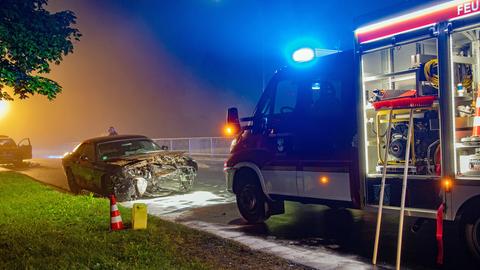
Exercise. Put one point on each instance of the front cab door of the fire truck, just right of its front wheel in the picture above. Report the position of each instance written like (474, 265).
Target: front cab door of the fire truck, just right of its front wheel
(280, 173)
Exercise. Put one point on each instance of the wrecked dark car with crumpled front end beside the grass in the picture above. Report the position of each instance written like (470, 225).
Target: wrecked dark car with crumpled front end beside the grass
(128, 166)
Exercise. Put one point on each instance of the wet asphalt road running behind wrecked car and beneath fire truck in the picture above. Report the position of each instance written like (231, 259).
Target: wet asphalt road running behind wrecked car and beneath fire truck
(349, 232)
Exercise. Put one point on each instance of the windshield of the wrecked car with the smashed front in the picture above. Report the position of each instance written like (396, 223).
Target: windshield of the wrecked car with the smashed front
(125, 148)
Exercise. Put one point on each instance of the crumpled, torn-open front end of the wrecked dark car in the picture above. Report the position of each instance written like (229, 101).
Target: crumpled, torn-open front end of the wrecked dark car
(153, 175)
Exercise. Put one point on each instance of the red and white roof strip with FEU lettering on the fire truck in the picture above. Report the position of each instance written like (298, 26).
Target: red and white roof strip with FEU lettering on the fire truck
(419, 19)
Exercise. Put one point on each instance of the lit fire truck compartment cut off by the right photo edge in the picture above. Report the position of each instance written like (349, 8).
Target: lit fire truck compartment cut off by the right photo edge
(465, 73)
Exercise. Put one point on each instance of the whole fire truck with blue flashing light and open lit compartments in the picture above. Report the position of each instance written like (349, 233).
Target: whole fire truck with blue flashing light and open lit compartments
(393, 125)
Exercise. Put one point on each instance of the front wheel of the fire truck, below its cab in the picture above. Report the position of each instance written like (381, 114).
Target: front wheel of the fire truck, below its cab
(251, 202)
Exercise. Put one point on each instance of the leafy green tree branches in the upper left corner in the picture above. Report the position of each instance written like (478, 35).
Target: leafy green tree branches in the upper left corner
(31, 39)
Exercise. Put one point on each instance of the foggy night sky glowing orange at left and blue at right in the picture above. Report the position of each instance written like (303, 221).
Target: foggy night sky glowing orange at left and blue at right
(171, 68)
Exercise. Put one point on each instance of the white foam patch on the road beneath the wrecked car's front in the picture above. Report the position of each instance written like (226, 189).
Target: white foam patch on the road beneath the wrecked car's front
(176, 203)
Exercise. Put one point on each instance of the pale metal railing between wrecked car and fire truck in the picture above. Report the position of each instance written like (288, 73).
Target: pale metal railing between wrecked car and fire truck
(214, 146)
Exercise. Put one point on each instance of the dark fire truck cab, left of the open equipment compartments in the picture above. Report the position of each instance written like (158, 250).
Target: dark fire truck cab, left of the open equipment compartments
(300, 142)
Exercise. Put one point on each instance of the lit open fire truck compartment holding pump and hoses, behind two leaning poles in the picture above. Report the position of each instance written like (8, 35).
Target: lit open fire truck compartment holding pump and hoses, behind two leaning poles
(402, 72)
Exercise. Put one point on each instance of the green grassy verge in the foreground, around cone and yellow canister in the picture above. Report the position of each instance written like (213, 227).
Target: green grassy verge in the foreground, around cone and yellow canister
(42, 228)
